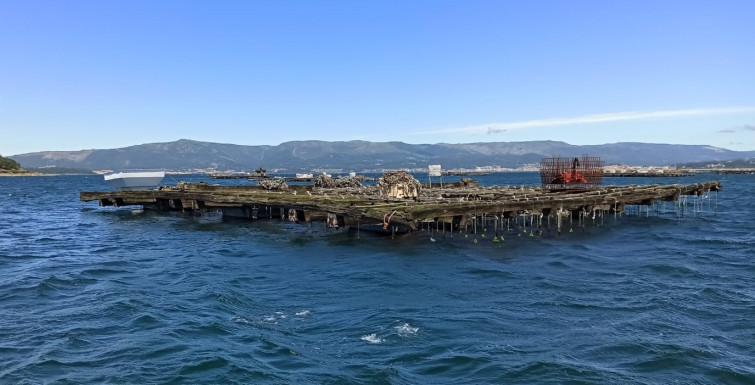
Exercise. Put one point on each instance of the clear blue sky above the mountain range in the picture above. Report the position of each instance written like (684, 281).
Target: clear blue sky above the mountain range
(105, 74)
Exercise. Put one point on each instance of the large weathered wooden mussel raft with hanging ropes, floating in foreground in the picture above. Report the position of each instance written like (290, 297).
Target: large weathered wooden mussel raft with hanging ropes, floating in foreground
(455, 207)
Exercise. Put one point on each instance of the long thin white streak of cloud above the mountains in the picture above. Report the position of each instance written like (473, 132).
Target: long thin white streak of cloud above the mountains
(493, 128)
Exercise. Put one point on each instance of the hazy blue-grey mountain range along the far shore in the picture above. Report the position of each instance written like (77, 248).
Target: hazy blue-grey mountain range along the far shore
(362, 155)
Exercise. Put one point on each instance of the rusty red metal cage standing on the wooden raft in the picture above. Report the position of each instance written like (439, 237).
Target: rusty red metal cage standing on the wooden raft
(577, 172)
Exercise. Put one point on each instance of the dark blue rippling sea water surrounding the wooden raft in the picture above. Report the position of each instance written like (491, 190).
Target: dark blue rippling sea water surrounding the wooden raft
(92, 295)
